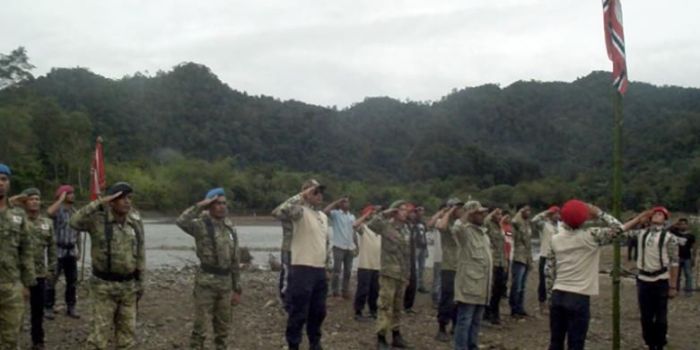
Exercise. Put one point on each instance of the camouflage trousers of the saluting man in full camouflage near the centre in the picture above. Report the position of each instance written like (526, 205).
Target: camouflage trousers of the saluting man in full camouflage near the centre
(391, 291)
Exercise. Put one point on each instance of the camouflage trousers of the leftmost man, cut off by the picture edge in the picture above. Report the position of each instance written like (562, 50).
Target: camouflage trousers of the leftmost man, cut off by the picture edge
(11, 314)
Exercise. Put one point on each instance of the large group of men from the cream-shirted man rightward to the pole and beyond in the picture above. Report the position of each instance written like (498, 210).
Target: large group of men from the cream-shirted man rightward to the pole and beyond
(479, 247)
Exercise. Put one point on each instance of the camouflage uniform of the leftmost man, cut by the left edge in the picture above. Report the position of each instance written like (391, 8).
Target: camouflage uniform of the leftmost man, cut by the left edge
(16, 273)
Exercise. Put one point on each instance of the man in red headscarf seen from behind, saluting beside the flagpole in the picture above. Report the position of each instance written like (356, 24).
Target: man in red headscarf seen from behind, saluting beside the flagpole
(572, 271)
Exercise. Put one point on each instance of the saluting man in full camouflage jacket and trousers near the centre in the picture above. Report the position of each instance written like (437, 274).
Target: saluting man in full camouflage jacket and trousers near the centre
(394, 271)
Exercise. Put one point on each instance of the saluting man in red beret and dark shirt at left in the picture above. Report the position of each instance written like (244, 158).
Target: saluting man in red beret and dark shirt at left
(67, 249)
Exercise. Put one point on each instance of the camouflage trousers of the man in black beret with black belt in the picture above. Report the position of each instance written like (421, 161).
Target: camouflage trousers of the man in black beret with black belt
(113, 305)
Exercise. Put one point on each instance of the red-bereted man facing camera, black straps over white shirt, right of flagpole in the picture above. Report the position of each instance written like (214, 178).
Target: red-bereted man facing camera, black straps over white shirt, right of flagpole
(657, 262)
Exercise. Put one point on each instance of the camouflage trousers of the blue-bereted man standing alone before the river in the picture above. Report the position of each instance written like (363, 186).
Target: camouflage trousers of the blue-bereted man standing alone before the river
(212, 297)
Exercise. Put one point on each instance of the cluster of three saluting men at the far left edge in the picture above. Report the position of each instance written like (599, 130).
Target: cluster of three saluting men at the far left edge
(36, 250)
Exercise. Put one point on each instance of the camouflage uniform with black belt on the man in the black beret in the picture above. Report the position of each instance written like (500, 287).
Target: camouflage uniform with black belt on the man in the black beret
(118, 266)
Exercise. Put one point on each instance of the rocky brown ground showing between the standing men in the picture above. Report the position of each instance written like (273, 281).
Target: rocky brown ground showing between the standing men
(165, 319)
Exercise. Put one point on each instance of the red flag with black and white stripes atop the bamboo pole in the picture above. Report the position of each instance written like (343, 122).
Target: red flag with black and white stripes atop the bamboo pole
(615, 43)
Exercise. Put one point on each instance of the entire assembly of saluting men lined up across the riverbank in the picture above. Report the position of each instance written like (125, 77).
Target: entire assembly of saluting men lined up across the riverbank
(479, 247)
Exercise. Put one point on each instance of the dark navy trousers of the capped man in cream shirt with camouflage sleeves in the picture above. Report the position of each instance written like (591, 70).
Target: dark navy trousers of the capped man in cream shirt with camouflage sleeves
(306, 303)
